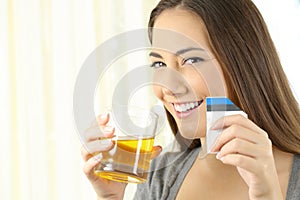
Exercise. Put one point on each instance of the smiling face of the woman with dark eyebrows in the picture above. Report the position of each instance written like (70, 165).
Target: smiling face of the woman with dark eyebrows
(186, 71)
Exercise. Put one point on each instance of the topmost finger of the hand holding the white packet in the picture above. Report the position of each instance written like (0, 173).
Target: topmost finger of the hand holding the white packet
(227, 121)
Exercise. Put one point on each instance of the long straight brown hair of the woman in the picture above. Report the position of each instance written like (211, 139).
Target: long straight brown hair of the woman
(254, 76)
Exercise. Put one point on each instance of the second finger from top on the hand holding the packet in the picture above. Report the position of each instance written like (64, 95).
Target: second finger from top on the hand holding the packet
(237, 131)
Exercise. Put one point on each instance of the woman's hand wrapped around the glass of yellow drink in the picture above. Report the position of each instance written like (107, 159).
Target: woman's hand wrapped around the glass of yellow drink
(91, 152)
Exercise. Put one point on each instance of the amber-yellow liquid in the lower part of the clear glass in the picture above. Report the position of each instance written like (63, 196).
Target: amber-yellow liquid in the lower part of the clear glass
(128, 161)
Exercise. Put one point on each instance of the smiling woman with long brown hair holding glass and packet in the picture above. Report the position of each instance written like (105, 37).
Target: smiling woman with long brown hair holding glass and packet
(258, 156)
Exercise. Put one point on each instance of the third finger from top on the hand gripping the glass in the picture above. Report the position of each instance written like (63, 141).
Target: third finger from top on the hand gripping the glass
(99, 146)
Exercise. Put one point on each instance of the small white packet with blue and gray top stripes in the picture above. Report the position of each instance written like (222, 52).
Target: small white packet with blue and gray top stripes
(216, 108)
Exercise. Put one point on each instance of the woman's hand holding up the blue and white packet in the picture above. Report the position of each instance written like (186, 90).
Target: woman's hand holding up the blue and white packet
(244, 145)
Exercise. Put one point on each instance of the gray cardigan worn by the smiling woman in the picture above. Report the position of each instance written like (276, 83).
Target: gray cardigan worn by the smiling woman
(169, 170)
